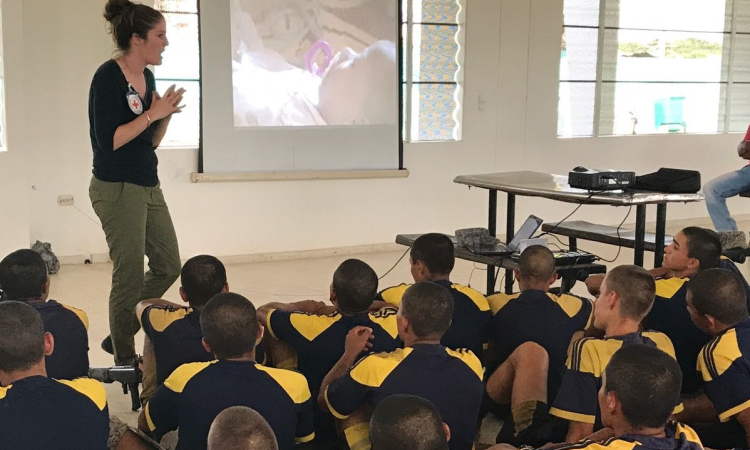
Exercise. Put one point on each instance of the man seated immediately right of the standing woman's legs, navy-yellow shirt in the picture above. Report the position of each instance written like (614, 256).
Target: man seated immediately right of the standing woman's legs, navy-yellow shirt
(173, 332)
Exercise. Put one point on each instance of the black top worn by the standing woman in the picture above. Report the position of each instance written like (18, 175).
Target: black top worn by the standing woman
(134, 162)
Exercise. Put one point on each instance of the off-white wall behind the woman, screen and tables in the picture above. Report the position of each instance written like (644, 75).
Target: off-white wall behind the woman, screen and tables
(512, 56)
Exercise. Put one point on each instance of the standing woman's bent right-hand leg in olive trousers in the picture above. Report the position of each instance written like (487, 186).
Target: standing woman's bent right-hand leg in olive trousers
(161, 248)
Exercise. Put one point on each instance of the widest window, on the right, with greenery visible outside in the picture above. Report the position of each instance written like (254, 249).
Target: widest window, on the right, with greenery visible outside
(654, 66)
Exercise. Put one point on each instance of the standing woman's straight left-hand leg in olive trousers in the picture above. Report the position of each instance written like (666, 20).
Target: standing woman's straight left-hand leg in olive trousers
(122, 209)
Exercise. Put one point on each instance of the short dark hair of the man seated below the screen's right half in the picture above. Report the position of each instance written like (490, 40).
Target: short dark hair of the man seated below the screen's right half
(355, 285)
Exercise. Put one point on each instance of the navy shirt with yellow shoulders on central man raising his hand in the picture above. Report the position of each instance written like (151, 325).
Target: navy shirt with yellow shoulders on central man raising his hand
(451, 380)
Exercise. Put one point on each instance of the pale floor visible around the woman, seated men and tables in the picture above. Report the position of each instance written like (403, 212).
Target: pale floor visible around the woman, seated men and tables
(87, 287)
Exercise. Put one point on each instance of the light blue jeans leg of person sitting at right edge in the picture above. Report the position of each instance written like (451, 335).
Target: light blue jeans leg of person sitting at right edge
(718, 190)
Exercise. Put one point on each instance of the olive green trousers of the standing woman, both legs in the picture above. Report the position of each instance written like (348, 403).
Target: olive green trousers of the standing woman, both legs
(136, 222)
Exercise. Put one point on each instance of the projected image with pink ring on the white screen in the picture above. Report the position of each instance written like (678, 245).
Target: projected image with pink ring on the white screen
(314, 62)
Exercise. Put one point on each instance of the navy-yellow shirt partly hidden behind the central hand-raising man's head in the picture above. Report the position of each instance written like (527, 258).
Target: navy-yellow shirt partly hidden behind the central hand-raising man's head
(471, 316)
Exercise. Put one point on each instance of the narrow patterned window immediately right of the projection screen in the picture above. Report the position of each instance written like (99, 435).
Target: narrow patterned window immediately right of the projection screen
(432, 37)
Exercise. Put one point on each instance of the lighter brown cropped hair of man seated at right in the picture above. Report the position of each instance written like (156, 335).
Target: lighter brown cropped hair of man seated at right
(635, 287)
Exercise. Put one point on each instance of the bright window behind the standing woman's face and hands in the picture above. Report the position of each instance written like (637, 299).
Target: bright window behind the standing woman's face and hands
(181, 66)
